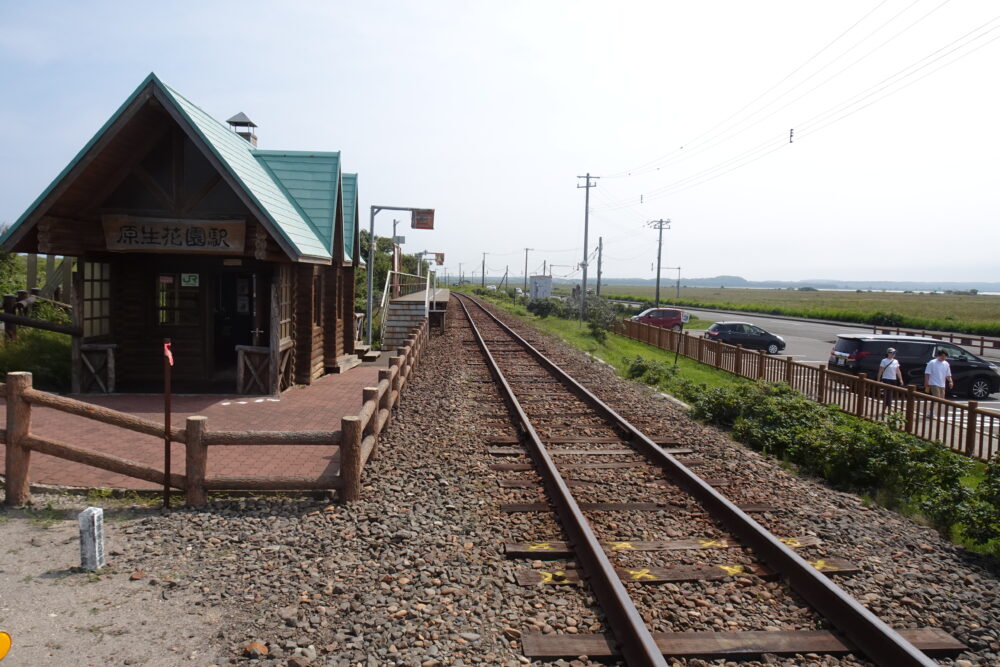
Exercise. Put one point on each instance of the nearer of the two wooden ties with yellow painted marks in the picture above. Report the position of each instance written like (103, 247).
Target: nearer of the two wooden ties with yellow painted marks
(662, 575)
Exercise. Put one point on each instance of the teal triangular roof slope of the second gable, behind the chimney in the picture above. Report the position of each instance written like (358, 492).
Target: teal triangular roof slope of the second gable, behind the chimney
(310, 181)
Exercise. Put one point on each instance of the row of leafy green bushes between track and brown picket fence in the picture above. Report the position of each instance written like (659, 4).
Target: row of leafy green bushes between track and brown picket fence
(852, 454)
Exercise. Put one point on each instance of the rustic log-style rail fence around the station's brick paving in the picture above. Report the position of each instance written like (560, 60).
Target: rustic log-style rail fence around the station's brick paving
(358, 438)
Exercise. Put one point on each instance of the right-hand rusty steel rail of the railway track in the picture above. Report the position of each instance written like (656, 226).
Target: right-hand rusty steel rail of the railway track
(869, 633)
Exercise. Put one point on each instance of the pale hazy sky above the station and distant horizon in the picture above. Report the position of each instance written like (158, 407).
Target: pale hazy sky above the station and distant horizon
(784, 140)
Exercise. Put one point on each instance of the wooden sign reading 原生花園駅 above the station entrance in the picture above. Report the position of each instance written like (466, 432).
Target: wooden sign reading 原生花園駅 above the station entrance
(215, 237)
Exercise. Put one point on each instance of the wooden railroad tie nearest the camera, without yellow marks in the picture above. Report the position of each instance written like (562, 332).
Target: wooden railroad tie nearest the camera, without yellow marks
(711, 645)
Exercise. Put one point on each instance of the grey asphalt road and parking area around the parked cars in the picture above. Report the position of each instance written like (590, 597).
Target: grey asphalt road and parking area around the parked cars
(810, 342)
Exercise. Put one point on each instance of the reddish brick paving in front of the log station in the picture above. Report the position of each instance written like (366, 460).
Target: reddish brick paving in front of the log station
(318, 406)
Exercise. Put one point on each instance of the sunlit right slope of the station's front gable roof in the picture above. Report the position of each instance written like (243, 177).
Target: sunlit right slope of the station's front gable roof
(237, 154)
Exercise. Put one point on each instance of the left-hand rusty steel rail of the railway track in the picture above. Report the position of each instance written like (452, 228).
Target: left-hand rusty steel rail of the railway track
(635, 641)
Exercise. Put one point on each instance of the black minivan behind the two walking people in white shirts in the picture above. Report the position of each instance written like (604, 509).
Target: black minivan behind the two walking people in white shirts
(861, 353)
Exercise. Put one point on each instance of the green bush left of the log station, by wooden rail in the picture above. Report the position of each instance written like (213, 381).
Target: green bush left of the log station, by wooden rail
(44, 353)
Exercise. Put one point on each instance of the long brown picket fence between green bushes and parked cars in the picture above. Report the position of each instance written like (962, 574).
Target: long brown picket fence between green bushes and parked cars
(964, 427)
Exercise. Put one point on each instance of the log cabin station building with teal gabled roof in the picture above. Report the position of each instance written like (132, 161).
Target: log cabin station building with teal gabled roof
(183, 229)
